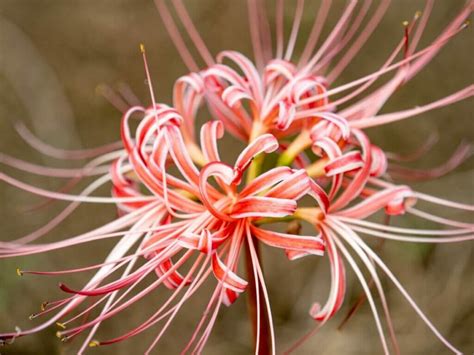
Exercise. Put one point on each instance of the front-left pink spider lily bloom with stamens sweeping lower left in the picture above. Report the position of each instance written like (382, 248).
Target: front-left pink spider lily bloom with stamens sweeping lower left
(170, 222)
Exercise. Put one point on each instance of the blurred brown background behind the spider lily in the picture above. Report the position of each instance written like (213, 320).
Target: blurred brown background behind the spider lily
(53, 54)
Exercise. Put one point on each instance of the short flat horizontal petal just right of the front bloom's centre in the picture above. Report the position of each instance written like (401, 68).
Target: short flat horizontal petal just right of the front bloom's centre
(256, 206)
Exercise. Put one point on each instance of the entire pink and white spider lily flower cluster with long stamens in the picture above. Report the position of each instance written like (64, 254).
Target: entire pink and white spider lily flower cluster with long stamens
(185, 216)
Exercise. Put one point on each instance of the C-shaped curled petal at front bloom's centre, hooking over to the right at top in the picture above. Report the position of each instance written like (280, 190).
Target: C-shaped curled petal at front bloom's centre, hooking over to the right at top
(225, 173)
